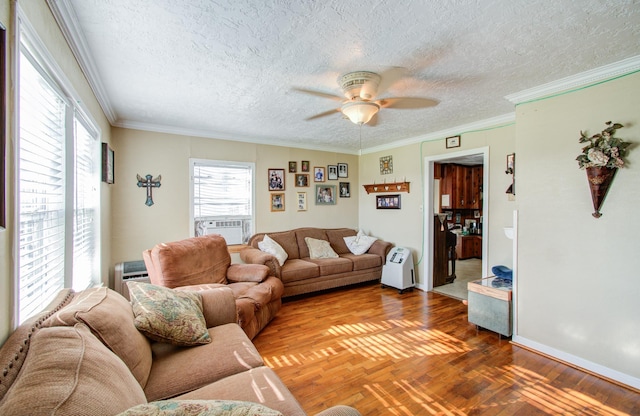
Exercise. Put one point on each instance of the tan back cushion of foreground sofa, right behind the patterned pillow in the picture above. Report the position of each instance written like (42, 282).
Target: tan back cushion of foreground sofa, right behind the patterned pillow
(110, 317)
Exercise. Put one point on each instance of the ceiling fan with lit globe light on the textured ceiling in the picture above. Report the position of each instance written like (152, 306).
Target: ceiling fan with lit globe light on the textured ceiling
(360, 89)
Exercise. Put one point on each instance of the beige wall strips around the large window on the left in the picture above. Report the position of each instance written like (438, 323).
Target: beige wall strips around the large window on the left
(39, 15)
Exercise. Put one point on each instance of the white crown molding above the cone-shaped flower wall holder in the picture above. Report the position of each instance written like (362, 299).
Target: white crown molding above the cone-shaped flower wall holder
(583, 79)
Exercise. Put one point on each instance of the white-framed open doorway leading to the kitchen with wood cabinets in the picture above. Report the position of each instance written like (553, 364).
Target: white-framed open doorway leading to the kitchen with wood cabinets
(467, 269)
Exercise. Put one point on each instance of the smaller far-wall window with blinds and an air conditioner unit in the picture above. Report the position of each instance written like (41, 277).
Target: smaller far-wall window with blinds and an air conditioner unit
(222, 199)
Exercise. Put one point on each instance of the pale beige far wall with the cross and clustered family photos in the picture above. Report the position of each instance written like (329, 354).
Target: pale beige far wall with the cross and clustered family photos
(137, 227)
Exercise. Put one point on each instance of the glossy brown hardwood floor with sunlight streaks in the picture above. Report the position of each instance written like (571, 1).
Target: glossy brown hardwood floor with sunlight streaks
(415, 354)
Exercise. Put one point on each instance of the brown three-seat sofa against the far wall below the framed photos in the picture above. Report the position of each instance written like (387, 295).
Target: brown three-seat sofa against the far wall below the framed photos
(301, 274)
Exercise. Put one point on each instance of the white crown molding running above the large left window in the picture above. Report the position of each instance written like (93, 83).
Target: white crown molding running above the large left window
(65, 16)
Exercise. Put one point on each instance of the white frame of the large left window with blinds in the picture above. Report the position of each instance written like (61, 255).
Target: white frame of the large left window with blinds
(26, 40)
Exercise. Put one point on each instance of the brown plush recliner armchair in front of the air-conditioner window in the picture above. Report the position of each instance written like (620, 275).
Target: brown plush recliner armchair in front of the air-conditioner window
(194, 262)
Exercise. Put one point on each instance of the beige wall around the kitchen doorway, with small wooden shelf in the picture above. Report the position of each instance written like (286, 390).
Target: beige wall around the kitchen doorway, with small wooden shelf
(405, 227)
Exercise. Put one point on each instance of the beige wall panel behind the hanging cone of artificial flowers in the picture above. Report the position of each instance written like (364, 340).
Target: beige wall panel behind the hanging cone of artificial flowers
(578, 277)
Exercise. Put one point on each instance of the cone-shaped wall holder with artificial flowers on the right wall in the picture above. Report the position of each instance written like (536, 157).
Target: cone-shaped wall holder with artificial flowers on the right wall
(601, 158)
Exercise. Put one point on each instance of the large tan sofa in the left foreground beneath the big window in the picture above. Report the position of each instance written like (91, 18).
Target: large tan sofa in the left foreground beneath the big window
(83, 355)
